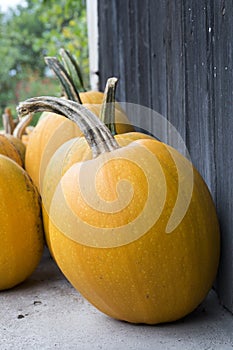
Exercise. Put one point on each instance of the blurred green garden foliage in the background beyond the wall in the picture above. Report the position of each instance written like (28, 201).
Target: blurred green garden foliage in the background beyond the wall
(28, 33)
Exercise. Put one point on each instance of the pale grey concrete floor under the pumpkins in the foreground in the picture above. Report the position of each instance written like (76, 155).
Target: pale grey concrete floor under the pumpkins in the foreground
(46, 312)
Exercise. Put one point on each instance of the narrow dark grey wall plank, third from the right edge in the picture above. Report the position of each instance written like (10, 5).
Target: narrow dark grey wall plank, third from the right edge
(175, 63)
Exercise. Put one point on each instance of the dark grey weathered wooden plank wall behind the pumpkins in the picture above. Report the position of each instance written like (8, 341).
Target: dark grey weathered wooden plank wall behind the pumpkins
(175, 56)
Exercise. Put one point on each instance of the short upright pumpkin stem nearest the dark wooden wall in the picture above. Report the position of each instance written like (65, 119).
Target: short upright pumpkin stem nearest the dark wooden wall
(107, 113)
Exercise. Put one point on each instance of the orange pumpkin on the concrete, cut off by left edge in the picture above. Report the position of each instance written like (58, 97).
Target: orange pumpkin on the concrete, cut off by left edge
(21, 230)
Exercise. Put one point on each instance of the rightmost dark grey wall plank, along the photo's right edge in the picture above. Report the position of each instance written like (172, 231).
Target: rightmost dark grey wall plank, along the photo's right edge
(223, 104)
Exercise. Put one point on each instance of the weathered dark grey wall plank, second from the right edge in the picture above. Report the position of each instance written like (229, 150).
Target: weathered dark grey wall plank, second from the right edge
(200, 121)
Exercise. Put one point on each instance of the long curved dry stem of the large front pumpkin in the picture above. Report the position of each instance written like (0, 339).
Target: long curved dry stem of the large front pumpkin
(96, 133)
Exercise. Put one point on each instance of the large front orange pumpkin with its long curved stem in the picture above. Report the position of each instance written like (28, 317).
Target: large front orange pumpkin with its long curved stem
(125, 228)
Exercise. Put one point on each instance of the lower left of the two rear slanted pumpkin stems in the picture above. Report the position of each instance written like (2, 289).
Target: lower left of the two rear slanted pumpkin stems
(64, 77)
